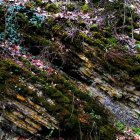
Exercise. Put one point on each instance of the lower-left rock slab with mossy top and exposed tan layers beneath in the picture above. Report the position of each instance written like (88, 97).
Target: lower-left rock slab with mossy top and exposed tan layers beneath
(43, 104)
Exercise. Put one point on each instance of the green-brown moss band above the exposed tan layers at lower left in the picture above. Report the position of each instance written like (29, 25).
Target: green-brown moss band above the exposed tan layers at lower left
(64, 96)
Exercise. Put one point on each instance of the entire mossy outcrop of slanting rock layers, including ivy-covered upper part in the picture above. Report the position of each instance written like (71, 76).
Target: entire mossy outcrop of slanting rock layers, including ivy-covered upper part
(64, 77)
